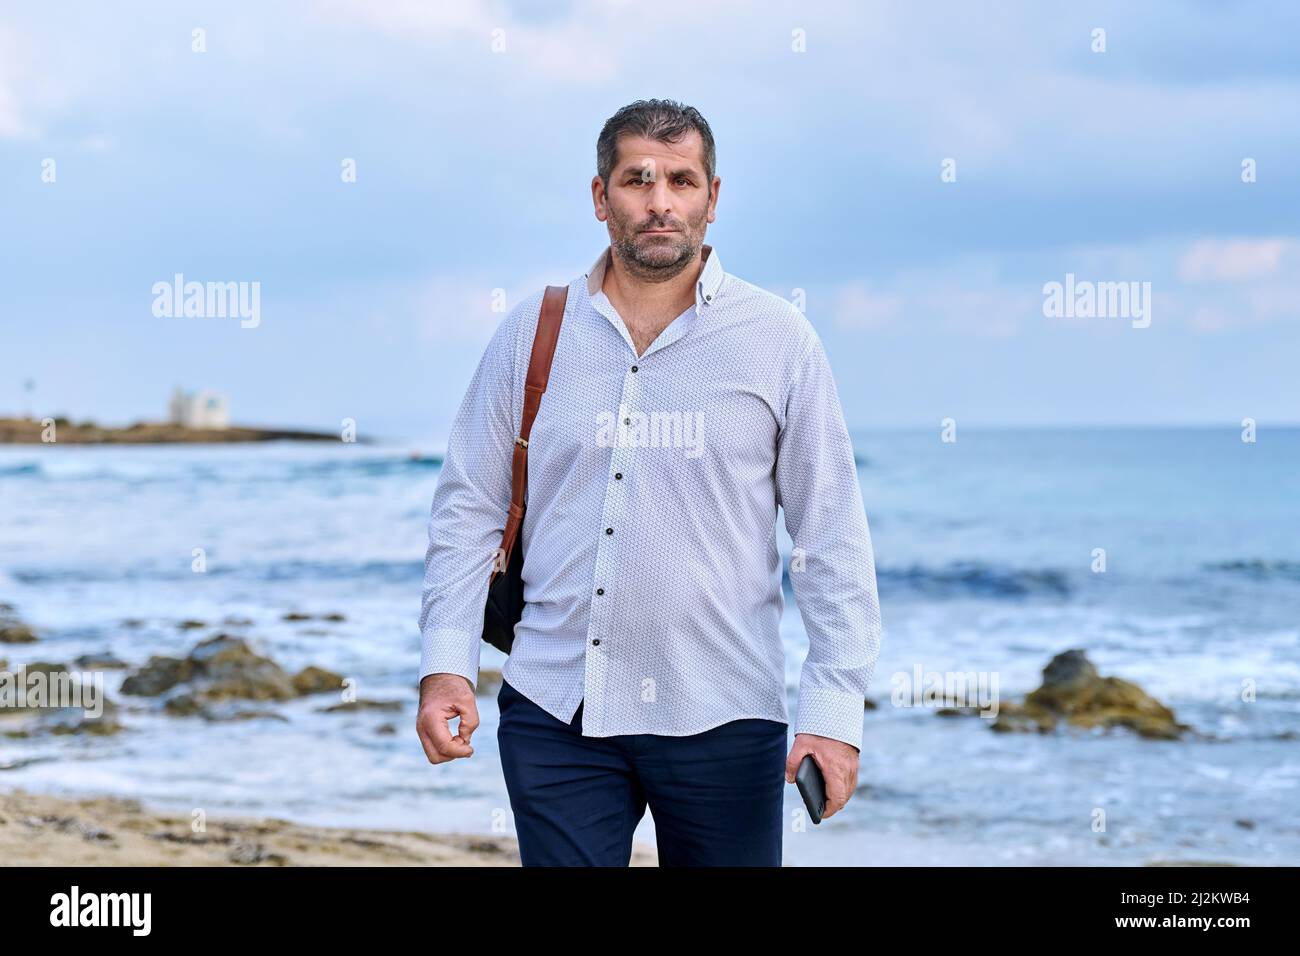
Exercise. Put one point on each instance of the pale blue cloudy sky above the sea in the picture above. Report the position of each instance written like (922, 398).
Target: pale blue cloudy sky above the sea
(913, 175)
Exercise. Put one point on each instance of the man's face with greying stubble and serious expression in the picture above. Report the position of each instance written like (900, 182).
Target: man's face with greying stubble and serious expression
(658, 205)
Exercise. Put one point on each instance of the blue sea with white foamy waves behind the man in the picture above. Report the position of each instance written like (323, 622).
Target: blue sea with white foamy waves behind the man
(985, 555)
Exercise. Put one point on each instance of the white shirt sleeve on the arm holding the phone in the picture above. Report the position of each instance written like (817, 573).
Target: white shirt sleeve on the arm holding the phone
(833, 566)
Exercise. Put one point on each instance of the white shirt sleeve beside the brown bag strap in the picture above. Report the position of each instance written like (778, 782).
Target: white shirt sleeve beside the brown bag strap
(470, 508)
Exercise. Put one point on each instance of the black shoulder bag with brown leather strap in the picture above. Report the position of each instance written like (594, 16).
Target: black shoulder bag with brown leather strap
(505, 604)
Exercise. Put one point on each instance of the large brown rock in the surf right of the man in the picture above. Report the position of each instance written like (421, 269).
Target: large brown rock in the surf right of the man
(1074, 693)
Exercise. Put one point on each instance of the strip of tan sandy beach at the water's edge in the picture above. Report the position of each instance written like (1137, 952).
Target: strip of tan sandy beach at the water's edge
(38, 830)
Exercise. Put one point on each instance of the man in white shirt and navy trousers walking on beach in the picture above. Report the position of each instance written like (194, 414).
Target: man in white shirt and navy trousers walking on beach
(684, 408)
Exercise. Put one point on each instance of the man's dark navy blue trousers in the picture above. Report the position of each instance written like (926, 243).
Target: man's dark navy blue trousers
(716, 797)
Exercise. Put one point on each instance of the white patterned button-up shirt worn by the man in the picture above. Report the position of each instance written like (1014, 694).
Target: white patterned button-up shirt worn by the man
(652, 574)
